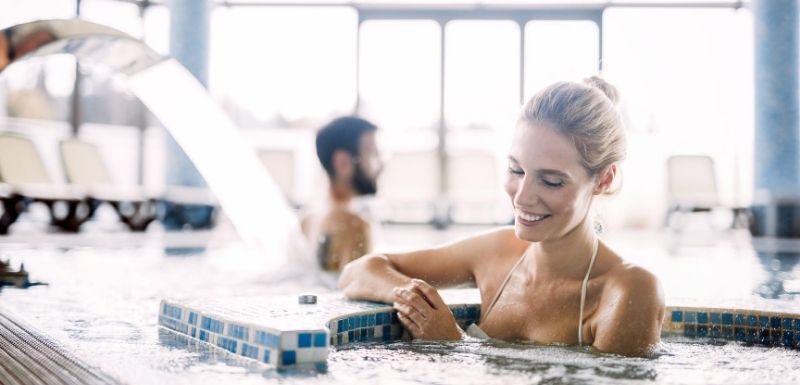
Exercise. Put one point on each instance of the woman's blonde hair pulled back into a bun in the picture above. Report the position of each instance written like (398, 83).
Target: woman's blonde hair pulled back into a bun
(587, 114)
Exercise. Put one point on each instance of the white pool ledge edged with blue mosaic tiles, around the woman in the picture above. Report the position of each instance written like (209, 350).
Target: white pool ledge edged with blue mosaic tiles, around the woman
(281, 332)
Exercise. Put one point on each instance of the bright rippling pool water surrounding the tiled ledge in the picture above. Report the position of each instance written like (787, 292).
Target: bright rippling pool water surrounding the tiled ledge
(102, 302)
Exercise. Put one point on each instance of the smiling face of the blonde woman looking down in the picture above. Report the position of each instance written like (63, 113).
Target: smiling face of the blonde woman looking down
(549, 188)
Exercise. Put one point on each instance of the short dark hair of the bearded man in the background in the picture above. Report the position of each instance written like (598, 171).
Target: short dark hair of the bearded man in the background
(342, 133)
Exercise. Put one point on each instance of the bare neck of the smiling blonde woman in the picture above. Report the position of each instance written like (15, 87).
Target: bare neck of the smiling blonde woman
(565, 257)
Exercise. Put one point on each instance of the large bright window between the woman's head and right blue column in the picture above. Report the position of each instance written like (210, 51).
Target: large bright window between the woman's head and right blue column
(686, 76)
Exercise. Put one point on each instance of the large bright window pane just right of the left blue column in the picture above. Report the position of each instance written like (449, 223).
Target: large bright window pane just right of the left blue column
(282, 66)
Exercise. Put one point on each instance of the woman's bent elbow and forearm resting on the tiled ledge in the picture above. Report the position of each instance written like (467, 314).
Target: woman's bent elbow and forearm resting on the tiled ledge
(371, 278)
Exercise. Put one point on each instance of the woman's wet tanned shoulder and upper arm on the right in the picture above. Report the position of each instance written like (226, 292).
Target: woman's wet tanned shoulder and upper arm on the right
(632, 312)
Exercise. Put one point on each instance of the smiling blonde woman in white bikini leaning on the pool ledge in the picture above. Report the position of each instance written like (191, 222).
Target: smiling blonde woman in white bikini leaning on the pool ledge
(549, 279)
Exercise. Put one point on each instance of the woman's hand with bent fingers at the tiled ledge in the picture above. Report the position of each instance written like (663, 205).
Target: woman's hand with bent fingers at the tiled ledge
(423, 312)
